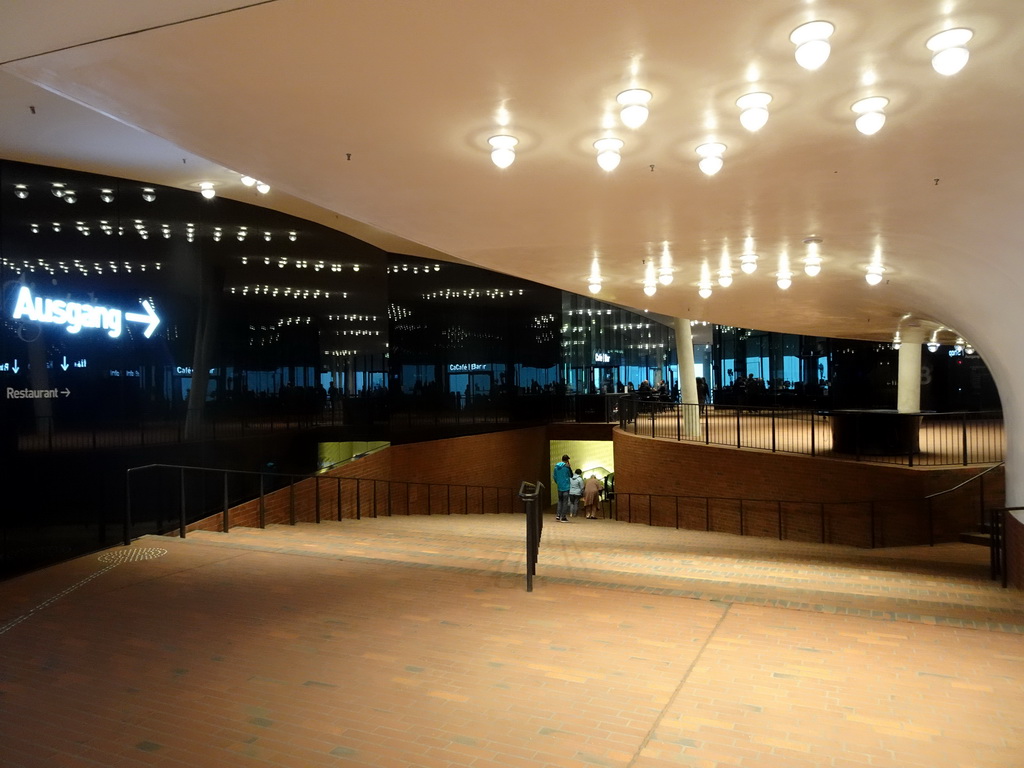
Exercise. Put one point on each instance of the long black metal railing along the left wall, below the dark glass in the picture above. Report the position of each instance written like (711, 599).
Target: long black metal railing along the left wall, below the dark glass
(176, 497)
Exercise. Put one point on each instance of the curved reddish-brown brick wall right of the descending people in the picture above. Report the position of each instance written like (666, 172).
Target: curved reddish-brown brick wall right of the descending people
(809, 499)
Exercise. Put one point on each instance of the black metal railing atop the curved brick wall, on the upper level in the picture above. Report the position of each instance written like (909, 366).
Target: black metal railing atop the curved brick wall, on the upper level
(943, 440)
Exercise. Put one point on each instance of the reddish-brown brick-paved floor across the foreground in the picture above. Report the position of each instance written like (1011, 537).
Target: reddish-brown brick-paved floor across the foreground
(412, 642)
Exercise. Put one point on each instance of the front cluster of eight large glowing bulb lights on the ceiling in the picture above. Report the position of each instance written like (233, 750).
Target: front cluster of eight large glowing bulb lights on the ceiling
(814, 50)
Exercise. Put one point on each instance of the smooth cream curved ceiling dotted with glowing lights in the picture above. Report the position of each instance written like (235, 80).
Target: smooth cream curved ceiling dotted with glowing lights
(373, 116)
